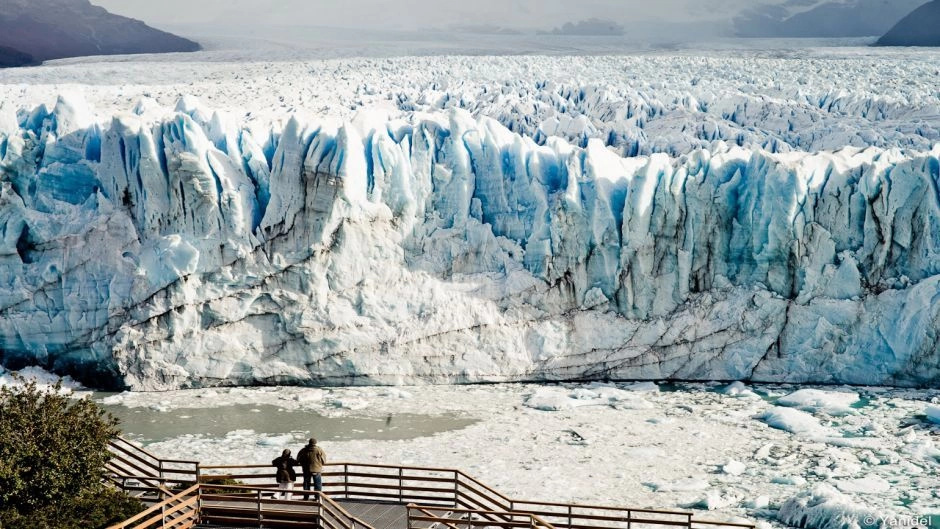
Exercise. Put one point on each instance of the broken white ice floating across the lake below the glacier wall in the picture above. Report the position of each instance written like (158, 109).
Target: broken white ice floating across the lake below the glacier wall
(819, 458)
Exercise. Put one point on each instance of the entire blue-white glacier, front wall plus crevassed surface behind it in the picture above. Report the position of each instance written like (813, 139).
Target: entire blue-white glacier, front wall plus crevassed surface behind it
(457, 219)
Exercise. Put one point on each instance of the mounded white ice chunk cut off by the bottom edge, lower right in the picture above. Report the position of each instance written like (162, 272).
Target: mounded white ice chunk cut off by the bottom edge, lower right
(824, 507)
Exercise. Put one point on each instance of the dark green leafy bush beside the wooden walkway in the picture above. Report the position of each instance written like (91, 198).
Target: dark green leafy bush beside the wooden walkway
(53, 449)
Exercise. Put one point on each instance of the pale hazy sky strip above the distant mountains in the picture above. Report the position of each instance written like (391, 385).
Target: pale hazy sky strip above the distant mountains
(408, 14)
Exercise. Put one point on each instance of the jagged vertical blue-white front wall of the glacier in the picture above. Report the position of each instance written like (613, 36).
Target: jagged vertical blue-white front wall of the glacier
(178, 249)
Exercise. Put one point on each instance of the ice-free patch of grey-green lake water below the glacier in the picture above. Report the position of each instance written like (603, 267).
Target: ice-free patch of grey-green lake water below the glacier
(150, 426)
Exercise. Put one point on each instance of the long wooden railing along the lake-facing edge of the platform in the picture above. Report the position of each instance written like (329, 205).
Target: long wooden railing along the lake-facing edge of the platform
(423, 487)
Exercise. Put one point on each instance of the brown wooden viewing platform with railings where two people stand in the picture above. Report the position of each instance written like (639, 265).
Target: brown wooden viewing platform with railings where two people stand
(185, 494)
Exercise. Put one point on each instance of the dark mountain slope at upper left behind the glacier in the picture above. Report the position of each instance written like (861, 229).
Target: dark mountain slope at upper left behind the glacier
(54, 29)
